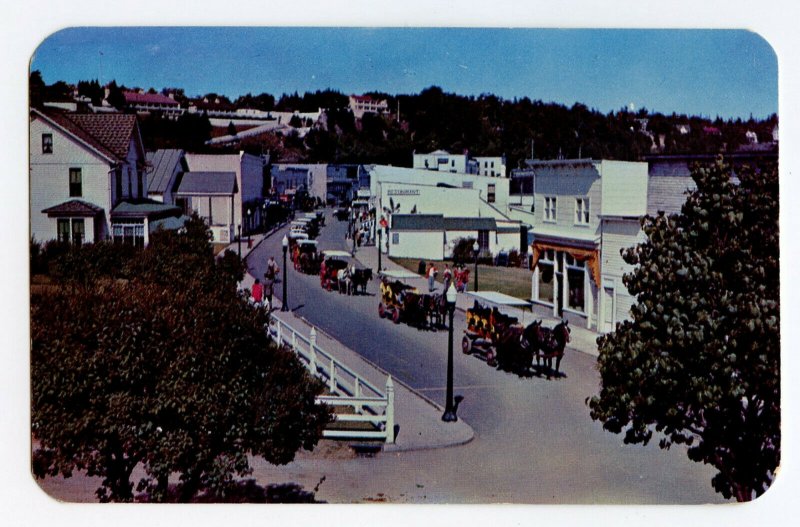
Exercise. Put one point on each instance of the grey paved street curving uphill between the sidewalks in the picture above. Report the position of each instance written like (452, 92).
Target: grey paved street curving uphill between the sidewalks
(534, 441)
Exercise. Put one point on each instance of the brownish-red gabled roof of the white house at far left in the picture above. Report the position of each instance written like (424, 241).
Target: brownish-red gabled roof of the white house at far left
(109, 134)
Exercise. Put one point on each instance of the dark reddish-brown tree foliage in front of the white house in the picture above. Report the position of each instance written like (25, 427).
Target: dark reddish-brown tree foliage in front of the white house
(168, 369)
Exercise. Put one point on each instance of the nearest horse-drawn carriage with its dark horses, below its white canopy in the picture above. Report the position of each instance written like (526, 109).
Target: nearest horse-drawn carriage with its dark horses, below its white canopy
(502, 341)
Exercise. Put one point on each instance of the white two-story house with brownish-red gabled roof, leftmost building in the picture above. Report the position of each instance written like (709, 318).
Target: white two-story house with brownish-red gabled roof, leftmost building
(88, 179)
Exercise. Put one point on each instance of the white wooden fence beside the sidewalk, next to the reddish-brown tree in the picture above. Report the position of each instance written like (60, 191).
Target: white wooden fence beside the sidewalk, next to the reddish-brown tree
(365, 402)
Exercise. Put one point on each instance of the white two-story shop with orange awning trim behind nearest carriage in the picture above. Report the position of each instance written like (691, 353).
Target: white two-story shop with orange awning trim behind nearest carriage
(584, 212)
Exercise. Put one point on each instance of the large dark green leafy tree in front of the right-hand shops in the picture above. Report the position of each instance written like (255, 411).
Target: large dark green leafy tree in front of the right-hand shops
(699, 363)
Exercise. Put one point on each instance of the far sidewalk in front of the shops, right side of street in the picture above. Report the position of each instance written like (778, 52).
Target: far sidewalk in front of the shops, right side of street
(582, 339)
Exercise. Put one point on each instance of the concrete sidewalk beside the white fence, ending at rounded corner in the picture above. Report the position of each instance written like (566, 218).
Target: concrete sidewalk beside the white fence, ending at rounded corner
(419, 418)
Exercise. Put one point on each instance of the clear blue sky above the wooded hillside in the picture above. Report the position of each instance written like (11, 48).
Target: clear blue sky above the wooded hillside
(730, 73)
